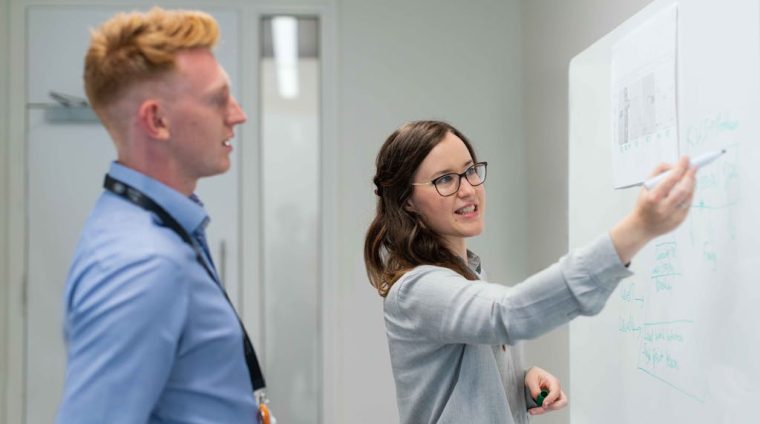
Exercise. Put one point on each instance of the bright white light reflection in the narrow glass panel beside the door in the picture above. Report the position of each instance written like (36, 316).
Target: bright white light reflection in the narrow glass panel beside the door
(285, 44)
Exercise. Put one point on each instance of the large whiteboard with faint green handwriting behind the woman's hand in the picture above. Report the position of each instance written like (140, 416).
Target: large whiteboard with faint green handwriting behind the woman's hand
(678, 340)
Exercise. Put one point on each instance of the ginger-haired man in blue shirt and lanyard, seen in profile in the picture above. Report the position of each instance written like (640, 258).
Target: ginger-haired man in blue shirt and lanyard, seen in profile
(150, 334)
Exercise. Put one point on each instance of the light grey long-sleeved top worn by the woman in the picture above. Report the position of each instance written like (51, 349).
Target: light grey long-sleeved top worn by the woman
(453, 342)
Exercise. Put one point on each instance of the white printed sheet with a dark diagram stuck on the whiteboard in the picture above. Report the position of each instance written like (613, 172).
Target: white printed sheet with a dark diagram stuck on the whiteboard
(644, 103)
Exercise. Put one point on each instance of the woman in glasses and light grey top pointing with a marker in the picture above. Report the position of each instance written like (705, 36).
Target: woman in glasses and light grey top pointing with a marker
(453, 338)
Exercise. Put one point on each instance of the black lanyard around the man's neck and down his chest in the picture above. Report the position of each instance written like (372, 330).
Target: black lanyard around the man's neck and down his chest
(138, 198)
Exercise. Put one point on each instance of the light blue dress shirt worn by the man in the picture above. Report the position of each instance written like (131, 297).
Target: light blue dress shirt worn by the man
(150, 335)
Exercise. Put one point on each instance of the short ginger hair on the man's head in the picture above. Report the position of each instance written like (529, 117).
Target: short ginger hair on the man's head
(136, 47)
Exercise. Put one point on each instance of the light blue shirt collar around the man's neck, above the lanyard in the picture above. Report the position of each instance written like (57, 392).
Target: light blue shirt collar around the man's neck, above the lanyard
(189, 213)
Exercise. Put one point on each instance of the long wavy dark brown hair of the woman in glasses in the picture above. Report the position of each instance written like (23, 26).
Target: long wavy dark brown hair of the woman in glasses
(398, 239)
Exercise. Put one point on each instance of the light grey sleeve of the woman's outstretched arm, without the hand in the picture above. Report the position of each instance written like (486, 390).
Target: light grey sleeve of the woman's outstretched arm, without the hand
(438, 305)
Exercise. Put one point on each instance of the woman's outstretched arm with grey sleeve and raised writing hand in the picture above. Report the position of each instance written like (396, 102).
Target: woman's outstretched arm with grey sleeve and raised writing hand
(437, 304)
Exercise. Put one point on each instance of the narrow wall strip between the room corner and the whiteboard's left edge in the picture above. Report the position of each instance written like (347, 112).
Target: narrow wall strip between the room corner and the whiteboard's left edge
(554, 32)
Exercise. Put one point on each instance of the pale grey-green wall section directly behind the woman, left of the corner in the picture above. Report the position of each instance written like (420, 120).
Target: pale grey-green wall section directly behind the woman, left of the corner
(402, 60)
